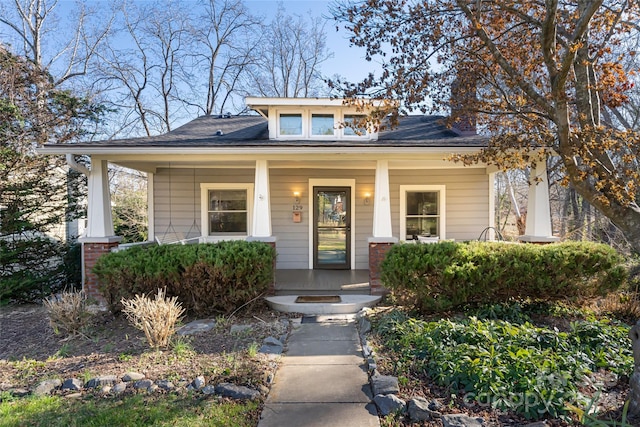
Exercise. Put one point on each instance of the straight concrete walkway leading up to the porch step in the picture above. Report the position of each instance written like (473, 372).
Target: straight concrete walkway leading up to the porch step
(322, 380)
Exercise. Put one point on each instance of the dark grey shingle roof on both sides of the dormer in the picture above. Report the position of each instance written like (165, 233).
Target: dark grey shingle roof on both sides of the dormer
(252, 131)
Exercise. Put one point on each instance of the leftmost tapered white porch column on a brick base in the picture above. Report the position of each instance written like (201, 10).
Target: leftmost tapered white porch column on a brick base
(100, 222)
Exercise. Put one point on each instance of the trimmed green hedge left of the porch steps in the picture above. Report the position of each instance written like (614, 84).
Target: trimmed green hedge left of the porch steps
(206, 278)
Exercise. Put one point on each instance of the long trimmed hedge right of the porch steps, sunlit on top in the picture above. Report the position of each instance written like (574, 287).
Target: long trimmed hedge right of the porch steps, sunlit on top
(446, 275)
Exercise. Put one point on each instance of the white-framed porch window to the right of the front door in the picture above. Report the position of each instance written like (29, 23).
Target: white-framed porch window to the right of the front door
(422, 211)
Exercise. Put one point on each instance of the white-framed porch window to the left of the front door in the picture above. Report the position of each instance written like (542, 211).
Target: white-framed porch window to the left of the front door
(226, 209)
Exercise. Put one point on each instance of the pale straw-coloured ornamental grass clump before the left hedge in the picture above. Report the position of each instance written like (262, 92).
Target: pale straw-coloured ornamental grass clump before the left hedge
(155, 317)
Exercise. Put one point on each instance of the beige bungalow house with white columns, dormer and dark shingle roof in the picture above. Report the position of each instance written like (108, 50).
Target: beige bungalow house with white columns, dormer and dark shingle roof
(331, 198)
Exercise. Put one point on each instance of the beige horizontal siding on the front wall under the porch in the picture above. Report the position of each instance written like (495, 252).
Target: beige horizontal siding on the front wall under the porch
(177, 203)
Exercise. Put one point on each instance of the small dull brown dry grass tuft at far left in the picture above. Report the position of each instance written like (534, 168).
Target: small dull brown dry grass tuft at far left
(68, 313)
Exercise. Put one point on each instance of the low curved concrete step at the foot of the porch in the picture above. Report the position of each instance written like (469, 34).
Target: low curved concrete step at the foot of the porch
(348, 304)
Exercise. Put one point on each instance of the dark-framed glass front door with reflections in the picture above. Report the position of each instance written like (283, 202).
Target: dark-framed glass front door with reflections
(332, 228)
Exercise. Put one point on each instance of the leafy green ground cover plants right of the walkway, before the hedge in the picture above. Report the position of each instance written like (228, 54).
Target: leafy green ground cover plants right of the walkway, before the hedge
(514, 358)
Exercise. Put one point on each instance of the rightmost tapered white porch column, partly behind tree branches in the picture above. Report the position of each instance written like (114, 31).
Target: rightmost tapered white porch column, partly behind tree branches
(538, 226)
